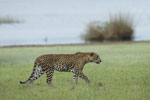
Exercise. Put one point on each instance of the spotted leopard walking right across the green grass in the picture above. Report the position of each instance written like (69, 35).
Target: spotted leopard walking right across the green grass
(74, 63)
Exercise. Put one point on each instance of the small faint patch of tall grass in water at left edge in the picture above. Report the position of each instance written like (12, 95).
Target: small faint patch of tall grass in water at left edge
(8, 20)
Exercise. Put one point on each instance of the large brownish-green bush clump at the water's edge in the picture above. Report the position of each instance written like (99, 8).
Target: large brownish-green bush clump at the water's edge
(116, 29)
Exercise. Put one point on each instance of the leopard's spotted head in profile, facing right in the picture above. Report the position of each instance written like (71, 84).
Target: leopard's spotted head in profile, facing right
(94, 57)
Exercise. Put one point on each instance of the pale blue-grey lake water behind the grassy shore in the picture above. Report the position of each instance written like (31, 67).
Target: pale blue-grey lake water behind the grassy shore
(63, 21)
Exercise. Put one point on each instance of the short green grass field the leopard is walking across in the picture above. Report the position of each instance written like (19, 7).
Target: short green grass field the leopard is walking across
(124, 74)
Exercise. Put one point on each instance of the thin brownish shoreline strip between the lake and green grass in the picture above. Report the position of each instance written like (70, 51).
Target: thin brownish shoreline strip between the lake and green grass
(80, 44)
